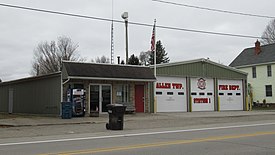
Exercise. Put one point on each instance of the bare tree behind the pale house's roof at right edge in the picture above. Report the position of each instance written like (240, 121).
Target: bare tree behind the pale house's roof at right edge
(268, 36)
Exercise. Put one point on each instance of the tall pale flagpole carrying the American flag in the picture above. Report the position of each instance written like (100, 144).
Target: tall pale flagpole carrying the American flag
(155, 68)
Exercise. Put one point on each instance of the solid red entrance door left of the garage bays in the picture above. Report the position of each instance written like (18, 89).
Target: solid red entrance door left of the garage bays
(139, 98)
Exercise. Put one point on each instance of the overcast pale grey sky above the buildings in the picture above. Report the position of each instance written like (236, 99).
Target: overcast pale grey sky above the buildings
(22, 30)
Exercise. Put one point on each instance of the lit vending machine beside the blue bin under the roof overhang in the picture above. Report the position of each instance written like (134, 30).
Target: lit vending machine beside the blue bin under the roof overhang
(78, 99)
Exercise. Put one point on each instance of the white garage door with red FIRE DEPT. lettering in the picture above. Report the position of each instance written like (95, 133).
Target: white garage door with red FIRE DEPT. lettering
(230, 94)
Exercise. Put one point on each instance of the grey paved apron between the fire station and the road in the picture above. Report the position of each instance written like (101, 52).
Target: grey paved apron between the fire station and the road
(31, 126)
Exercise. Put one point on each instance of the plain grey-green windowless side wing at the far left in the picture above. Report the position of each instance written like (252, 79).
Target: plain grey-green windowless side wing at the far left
(34, 95)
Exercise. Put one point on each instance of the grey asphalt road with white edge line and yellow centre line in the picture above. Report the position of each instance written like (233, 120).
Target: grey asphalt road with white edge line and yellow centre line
(219, 139)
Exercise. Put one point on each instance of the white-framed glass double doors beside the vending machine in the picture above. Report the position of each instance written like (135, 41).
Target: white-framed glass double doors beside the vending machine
(100, 97)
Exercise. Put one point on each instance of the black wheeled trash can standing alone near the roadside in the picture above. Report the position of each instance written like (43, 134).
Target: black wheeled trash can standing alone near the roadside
(116, 116)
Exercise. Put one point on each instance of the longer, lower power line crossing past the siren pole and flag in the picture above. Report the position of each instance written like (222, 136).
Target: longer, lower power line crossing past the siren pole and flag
(132, 23)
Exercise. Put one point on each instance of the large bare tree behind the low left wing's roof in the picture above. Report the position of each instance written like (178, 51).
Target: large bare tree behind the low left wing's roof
(48, 56)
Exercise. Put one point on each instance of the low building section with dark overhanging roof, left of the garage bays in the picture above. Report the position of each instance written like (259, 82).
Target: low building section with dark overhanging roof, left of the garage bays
(89, 86)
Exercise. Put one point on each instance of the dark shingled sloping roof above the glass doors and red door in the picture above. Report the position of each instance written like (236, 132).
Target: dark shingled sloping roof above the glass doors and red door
(107, 71)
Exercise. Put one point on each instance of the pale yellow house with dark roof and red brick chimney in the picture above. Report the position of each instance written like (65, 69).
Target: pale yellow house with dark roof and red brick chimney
(259, 63)
